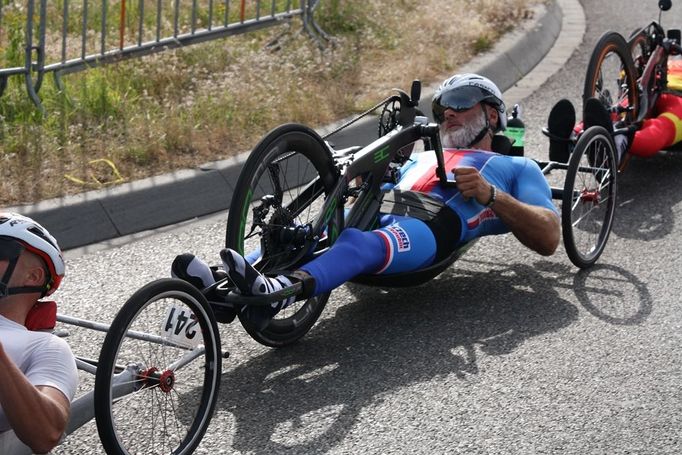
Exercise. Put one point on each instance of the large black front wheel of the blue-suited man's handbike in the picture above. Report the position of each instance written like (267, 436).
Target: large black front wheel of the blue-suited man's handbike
(299, 154)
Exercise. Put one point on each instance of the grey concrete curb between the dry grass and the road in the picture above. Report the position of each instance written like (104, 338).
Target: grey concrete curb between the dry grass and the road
(154, 202)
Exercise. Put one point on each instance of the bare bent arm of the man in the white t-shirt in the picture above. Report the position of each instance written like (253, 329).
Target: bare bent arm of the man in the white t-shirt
(38, 415)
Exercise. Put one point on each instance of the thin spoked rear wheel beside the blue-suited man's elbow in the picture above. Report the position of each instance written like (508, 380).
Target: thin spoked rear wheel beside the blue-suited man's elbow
(589, 197)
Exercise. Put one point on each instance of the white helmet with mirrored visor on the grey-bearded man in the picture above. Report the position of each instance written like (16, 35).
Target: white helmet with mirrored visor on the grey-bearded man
(463, 91)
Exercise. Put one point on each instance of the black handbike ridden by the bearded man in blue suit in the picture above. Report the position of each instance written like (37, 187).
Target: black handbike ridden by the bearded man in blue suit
(294, 192)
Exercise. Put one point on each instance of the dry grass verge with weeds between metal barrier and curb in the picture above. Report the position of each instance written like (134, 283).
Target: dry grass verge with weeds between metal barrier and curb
(183, 108)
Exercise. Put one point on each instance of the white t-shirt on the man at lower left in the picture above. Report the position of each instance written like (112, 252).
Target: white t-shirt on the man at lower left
(46, 360)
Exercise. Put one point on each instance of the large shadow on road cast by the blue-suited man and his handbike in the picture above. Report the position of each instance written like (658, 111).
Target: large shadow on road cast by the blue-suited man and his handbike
(312, 393)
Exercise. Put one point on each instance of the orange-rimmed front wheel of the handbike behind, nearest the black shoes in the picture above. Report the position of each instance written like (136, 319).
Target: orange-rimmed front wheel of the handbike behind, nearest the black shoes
(611, 70)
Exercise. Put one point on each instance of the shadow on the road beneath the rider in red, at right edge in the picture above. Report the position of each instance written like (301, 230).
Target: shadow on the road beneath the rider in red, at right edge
(645, 199)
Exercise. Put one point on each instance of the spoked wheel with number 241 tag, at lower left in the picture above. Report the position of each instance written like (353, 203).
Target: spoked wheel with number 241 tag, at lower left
(184, 395)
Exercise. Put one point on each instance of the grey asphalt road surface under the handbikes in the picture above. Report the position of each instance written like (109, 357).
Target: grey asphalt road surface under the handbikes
(504, 353)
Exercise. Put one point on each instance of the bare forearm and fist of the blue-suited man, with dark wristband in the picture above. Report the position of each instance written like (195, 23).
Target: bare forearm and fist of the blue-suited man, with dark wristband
(536, 227)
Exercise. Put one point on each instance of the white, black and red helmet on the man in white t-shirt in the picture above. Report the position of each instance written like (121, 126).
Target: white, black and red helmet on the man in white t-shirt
(18, 232)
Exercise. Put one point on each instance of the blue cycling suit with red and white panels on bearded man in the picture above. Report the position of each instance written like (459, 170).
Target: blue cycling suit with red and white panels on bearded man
(402, 243)
